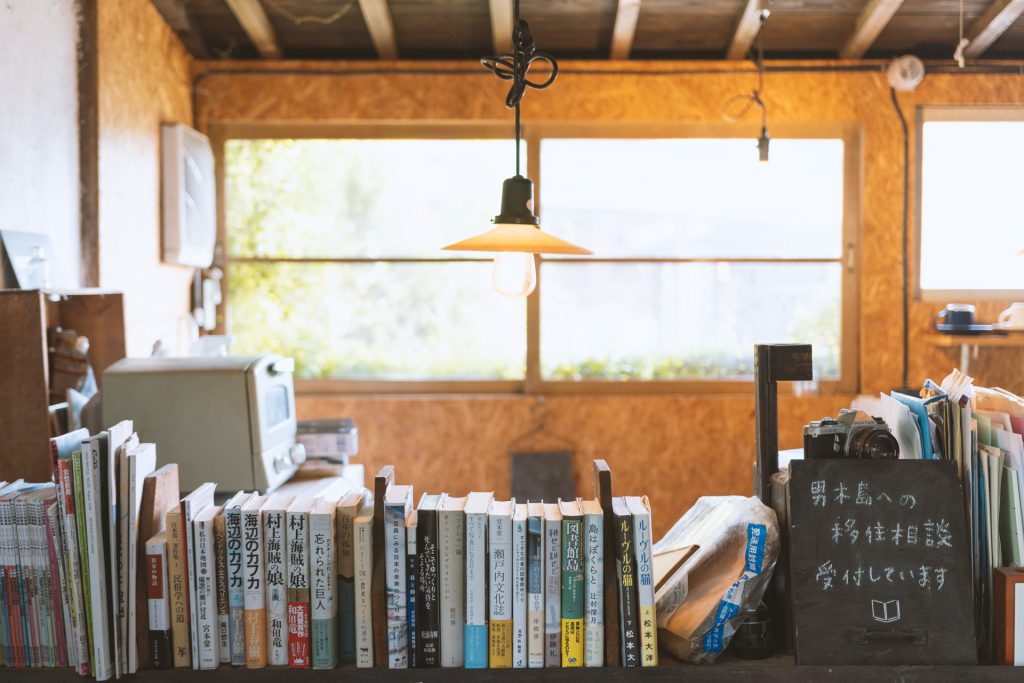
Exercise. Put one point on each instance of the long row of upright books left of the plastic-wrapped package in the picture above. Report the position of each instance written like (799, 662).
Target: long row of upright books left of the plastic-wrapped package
(91, 560)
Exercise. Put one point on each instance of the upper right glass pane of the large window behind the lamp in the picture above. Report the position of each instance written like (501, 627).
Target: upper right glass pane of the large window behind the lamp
(695, 198)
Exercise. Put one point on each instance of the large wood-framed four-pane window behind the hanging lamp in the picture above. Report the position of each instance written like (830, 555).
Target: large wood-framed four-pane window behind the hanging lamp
(333, 254)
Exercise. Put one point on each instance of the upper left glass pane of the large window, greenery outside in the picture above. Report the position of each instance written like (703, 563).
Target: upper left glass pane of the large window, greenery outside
(369, 198)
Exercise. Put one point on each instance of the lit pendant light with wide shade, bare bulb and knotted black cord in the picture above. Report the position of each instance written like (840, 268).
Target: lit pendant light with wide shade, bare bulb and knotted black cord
(518, 236)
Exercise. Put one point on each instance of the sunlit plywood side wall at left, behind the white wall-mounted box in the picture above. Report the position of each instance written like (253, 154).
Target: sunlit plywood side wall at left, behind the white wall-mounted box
(145, 80)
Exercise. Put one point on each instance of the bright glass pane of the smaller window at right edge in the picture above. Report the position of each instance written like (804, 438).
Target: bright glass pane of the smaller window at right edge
(971, 224)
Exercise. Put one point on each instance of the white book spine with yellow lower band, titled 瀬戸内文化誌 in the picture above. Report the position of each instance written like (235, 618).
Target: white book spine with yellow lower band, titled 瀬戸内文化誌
(501, 585)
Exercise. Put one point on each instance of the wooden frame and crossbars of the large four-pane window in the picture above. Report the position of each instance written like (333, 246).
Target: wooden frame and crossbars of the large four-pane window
(534, 134)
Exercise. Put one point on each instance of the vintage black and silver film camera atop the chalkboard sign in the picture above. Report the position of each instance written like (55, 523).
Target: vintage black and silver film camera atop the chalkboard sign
(852, 435)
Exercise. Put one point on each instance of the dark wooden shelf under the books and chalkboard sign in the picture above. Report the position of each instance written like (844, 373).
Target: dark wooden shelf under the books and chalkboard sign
(776, 670)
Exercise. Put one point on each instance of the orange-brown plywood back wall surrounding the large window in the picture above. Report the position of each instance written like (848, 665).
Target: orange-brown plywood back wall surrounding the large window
(673, 448)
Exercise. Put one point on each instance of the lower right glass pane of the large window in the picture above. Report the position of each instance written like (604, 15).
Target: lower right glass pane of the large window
(685, 321)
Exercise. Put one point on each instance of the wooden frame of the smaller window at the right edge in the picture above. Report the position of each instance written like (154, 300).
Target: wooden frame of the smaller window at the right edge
(962, 113)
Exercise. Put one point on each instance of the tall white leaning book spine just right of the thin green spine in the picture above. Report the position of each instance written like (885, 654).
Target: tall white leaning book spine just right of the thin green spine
(103, 668)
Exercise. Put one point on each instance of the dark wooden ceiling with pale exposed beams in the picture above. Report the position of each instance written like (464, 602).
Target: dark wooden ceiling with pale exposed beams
(595, 29)
